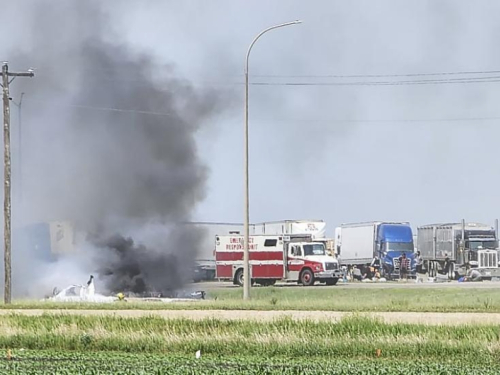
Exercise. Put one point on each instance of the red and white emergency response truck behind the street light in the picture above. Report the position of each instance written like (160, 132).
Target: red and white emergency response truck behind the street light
(294, 258)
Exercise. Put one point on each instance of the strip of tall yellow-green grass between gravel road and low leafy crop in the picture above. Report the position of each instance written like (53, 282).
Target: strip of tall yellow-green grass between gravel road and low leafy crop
(352, 338)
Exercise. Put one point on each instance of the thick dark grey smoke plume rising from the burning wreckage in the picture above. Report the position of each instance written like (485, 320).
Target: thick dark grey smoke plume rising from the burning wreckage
(108, 138)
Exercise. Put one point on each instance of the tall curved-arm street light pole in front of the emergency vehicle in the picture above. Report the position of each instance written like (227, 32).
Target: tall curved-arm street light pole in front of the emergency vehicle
(246, 255)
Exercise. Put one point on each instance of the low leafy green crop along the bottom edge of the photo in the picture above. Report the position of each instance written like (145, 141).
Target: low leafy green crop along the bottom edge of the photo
(50, 362)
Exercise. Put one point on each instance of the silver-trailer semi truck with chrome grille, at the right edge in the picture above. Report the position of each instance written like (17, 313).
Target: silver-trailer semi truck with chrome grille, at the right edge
(454, 248)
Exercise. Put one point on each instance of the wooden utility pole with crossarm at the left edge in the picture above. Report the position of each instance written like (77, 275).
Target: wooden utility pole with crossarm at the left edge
(7, 182)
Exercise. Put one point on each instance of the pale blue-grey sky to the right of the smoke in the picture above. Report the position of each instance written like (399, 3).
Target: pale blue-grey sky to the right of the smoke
(310, 155)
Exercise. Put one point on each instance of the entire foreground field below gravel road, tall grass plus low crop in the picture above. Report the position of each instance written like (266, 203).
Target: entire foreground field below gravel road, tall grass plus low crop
(84, 344)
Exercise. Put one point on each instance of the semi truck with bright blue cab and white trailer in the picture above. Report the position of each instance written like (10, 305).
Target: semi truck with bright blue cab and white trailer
(357, 244)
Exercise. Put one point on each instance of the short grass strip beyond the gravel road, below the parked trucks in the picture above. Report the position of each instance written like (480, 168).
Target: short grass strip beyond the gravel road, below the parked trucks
(350, 298)
